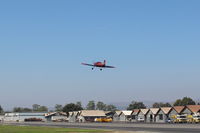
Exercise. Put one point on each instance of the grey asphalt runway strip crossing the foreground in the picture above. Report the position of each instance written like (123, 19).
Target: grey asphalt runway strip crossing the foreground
(161, 128)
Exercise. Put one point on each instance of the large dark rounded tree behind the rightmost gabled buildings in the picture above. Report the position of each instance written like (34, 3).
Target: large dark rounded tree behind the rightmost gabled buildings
(184, 101)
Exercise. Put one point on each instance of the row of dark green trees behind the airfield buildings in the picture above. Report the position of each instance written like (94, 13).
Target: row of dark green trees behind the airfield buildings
(102, 106)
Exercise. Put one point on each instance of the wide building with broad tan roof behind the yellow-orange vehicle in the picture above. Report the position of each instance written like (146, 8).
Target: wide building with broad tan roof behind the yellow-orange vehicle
(90, 115)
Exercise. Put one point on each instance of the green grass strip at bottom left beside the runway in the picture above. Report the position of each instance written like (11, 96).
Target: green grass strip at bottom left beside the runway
(30, 129)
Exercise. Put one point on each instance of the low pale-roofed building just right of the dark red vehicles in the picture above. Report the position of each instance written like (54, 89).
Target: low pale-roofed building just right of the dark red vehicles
(56, 116)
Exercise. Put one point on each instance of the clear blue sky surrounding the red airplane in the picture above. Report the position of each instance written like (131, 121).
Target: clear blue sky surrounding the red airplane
(155, 46)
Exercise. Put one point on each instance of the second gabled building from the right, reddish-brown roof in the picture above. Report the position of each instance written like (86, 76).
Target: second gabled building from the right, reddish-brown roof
(176, 110)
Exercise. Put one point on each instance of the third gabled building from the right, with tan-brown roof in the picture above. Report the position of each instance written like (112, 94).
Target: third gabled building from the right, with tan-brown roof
(163, 114)
